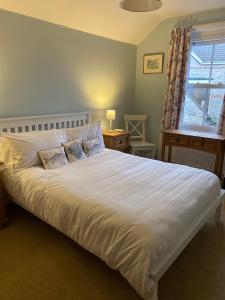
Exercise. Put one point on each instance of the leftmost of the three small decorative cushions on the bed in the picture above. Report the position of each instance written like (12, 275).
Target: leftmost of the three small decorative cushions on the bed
(53, 158)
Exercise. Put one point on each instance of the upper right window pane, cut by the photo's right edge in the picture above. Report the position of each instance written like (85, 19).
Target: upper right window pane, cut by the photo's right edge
(218, 69)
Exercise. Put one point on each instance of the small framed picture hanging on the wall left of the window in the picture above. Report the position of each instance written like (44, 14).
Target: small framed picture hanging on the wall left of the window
(153, 63)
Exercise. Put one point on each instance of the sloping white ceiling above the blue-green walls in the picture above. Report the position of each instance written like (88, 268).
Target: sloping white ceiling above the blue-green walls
(105, 17)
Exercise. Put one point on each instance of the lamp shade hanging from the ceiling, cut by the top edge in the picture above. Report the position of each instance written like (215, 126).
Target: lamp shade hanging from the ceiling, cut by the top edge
(140, 5)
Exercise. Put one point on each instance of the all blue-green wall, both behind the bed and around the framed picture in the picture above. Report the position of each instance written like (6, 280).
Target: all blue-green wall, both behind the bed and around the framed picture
(46, 68)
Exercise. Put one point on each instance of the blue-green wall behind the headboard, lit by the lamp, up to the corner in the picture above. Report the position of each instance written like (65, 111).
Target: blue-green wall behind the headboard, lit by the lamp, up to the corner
(46, 68)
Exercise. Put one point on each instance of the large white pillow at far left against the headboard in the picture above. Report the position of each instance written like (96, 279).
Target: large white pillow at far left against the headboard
(20, 150)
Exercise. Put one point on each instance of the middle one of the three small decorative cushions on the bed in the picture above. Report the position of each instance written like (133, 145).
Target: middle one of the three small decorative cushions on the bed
(74, 151)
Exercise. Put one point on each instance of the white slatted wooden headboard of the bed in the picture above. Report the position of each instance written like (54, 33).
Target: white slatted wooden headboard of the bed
(44, 122)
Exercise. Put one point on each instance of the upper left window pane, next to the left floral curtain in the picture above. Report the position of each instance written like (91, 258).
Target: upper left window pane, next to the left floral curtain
(200, 63)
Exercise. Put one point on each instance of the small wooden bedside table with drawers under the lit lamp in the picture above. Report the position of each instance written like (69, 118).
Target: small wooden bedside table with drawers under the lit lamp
(117, 140)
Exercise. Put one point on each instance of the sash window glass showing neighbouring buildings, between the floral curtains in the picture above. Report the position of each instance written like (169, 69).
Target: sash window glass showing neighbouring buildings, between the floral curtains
(205, 87)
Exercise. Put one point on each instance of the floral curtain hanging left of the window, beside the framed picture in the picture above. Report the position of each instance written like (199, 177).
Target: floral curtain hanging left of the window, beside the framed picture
(176, 76)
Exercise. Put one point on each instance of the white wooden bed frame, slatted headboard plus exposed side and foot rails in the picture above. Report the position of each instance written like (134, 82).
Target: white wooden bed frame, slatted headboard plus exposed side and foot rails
(32, 123)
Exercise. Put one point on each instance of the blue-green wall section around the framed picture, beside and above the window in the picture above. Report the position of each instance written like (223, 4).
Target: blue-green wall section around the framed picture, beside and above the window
(150, 89)
